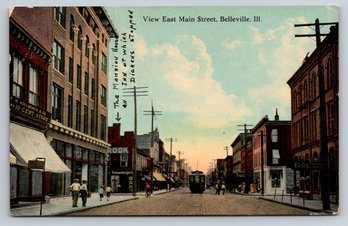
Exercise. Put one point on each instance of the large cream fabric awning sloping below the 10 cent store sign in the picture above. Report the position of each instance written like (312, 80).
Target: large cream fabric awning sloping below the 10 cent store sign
(29, 144)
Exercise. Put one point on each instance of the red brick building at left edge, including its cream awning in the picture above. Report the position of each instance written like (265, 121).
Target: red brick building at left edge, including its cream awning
(30, 38)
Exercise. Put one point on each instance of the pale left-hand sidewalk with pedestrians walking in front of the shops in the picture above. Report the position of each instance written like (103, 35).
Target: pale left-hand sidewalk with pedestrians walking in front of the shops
(63, 205)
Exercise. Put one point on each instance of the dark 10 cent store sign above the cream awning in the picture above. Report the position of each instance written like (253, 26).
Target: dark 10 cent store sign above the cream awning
(19, 107)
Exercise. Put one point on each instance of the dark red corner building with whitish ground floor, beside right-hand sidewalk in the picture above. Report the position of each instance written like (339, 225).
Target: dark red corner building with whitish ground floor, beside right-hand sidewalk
(274, 146)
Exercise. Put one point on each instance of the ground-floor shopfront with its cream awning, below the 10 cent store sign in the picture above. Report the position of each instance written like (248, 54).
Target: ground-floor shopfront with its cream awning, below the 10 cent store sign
(27, 144)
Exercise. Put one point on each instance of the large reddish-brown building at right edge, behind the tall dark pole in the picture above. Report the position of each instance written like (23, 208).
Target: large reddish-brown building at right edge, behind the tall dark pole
(305, 116)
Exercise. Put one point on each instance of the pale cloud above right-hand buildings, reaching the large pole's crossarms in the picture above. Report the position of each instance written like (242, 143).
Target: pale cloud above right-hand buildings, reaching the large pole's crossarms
(286, 53)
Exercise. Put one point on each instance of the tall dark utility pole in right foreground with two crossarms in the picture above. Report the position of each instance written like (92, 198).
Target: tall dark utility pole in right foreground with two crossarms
(322, 111)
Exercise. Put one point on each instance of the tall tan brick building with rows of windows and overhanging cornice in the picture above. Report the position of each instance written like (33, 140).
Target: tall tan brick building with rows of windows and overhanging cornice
(77, 87)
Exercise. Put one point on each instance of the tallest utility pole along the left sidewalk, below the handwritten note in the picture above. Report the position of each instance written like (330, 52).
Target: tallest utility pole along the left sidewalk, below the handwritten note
(134, 92)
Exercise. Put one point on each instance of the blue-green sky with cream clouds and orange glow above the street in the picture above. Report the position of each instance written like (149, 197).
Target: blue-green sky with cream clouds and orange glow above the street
(207, 78)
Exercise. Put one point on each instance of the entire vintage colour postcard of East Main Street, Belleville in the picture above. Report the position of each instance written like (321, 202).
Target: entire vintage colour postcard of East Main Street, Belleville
(174, 111)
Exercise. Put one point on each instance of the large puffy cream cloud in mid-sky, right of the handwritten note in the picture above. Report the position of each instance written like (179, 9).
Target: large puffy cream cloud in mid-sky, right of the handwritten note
(182, 81)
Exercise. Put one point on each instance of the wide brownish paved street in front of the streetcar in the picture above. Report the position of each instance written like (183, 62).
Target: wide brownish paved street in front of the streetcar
(182, 202)
